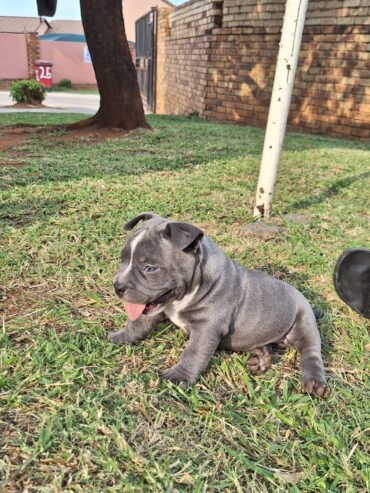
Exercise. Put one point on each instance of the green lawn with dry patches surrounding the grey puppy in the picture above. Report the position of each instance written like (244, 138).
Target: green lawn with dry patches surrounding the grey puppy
(78, 414)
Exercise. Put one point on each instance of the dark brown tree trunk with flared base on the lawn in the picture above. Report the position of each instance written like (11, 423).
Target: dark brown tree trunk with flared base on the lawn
(120, 100)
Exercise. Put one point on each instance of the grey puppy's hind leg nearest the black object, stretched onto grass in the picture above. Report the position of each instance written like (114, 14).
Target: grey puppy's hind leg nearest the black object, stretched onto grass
(304, 336)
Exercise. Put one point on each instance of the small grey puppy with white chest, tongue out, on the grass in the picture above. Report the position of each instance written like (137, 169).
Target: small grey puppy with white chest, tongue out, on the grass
(172, 268)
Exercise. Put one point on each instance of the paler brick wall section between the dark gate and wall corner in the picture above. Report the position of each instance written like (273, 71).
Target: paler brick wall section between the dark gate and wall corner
(182, 57)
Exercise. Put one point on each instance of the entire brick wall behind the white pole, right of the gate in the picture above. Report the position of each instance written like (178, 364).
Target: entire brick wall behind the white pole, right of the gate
(218, 59)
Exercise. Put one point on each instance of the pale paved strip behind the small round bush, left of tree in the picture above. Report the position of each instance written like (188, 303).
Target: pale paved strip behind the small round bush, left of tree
(58, 102)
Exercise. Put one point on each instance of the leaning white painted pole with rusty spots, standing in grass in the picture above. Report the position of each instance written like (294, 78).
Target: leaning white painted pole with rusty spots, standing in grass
(286, 67)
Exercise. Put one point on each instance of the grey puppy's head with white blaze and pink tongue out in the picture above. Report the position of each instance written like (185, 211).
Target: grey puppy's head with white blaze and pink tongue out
(157, 263)
